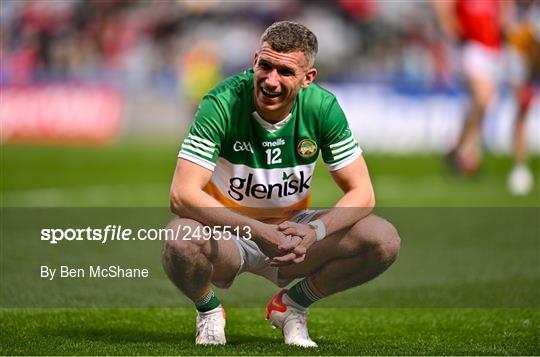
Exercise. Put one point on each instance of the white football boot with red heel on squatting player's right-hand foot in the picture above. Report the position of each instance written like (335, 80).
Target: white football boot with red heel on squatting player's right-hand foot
(291, 321)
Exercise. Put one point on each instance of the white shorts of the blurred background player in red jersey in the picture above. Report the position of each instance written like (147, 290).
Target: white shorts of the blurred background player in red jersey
(480, 61)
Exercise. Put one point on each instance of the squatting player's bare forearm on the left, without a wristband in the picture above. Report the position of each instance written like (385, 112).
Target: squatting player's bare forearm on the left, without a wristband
(198, 205)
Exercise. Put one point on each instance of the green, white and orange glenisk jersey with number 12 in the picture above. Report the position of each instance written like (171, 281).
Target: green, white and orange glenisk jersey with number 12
(266, 168)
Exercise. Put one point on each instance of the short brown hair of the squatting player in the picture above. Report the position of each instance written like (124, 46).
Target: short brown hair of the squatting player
(289, 36)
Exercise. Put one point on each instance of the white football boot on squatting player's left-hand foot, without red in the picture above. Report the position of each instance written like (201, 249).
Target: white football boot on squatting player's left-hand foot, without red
(211, 327)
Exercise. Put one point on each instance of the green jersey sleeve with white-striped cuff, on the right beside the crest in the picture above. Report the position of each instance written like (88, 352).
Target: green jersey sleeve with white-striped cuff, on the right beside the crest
(339, 147)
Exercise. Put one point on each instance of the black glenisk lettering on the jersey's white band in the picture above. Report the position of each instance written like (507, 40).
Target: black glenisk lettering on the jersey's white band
(244, 187)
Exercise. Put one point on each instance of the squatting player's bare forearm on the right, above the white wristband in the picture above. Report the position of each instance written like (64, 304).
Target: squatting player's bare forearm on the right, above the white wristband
(352, 207)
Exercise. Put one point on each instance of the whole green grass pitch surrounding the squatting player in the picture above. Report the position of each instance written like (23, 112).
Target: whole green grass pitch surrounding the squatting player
(462, 289)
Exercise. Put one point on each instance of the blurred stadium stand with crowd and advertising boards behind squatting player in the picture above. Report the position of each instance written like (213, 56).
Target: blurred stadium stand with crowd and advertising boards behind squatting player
(385, 60)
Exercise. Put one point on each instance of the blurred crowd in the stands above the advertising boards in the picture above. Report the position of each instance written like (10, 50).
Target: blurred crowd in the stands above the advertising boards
(183, 47)
